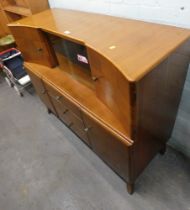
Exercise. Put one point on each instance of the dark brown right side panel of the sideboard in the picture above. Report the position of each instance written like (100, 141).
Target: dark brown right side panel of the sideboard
(158, 98)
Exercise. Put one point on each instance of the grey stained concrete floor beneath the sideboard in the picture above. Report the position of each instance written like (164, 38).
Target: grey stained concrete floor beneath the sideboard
(44, 166)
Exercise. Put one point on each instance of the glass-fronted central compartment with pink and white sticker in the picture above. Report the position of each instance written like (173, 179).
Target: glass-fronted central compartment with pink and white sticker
(72, 58)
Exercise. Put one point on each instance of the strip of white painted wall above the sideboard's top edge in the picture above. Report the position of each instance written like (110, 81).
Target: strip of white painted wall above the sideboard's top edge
(175, 12)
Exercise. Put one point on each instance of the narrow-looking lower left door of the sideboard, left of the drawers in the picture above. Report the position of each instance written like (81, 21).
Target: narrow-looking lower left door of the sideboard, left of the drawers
(40, 89)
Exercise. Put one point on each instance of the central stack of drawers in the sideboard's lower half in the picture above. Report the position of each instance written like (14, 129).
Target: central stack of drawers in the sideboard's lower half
(67, 112)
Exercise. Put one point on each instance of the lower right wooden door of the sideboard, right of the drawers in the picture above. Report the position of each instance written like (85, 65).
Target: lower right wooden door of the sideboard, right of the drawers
(108, 147)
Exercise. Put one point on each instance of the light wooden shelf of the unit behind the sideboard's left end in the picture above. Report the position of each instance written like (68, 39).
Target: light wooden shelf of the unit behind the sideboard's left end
(18, 10)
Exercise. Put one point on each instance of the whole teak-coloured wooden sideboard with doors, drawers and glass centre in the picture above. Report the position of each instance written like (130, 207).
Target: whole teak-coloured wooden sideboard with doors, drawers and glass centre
(115, 82)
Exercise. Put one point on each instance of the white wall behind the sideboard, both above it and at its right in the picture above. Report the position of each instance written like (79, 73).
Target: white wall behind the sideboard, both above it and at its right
(173, 12)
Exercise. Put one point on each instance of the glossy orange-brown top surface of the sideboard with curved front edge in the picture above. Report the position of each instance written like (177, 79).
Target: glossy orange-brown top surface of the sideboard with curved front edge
(134, 47)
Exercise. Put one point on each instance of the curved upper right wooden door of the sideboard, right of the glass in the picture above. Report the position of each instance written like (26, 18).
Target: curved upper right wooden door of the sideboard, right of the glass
(112, 88)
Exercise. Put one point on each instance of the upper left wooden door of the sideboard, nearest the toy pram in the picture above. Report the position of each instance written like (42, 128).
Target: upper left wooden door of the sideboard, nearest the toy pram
(33, 45)
